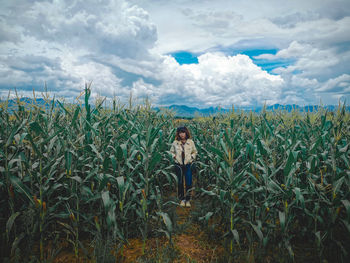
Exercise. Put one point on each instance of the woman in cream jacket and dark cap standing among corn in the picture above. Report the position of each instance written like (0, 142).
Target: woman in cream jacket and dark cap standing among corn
(184, 152)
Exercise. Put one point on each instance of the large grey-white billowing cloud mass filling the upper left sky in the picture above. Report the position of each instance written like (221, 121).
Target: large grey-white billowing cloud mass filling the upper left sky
(61, 43)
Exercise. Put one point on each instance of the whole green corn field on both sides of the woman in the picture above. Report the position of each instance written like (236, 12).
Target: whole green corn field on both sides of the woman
(266, 184)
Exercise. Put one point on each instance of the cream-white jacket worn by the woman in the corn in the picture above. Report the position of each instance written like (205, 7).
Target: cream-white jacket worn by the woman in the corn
(190, 151)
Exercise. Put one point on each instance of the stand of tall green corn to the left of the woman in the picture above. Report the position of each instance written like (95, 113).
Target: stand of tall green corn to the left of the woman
(74, 172)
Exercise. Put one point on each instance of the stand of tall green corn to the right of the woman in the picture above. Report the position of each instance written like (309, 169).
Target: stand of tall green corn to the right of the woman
(272, 178)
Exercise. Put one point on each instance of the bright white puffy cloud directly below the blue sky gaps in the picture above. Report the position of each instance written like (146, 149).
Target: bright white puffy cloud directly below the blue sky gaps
(218, 80)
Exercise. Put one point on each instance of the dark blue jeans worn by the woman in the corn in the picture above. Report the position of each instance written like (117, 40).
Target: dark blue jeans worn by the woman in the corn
(181, 172)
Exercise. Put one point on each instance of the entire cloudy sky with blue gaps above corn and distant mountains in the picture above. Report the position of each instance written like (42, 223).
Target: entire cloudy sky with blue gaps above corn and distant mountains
(197, 53)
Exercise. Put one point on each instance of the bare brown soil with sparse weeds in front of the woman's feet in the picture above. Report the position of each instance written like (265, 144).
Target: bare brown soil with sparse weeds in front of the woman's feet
(190, 244)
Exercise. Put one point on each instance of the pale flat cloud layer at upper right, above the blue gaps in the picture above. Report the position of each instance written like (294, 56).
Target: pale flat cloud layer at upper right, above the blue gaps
(196, 26)
